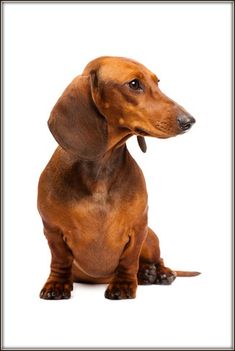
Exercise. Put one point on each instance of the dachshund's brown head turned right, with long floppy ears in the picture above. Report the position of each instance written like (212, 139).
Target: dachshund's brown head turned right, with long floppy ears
(113, 99)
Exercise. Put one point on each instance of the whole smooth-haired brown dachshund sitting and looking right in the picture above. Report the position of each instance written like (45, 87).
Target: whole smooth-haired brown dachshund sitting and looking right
(92, 195)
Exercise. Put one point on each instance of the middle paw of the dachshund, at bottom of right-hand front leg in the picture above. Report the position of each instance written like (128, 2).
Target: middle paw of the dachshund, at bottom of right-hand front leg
(121, 290)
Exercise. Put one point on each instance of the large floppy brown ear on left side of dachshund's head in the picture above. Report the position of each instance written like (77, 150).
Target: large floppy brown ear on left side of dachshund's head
(76, 123)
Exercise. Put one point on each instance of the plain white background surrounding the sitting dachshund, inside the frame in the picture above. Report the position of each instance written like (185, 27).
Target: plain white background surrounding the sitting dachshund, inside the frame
(188, 177)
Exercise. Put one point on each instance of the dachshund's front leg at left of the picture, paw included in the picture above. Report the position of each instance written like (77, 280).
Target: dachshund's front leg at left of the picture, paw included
(59, 283)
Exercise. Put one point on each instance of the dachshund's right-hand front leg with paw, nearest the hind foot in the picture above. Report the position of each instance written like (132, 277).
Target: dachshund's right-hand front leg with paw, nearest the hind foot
(124, 283)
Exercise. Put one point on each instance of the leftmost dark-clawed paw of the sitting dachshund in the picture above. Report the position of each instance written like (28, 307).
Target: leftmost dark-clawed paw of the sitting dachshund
(56, 291)
